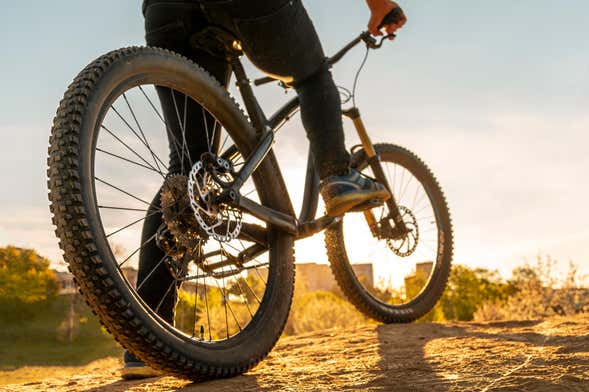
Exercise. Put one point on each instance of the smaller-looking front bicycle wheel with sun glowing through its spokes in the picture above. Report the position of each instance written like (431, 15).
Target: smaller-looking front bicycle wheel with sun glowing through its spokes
(390, 276)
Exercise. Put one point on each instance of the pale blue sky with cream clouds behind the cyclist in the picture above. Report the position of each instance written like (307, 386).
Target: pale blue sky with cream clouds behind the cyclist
(492, 95)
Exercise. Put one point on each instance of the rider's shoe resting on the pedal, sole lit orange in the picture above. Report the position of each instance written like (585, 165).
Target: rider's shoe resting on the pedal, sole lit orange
(351, 191)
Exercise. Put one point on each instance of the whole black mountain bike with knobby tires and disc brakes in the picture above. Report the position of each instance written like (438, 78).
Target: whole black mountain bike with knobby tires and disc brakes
(226, 225)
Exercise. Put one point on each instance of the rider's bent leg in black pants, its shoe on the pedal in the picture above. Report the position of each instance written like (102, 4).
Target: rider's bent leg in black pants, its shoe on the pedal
(279, 37)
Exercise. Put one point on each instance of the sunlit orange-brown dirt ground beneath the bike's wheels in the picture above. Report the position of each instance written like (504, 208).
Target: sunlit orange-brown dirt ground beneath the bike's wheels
(550, 355)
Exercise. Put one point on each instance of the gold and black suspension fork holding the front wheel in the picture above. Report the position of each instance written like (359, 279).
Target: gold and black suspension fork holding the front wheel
(374, 163)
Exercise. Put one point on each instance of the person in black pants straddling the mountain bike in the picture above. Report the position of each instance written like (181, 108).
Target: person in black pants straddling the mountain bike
(279, 38)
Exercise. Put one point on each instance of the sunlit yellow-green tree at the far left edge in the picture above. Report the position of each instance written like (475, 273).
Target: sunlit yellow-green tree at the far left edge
(25, 279)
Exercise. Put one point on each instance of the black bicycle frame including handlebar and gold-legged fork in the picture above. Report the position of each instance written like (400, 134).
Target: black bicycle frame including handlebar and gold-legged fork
(306, 224)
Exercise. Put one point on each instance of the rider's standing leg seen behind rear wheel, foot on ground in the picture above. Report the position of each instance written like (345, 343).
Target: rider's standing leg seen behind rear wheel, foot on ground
(169, 25)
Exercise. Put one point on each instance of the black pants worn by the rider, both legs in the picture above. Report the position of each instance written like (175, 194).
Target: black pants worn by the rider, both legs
(279, 38)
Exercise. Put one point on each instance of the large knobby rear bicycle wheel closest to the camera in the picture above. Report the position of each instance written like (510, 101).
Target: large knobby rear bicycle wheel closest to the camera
(228, 277)
